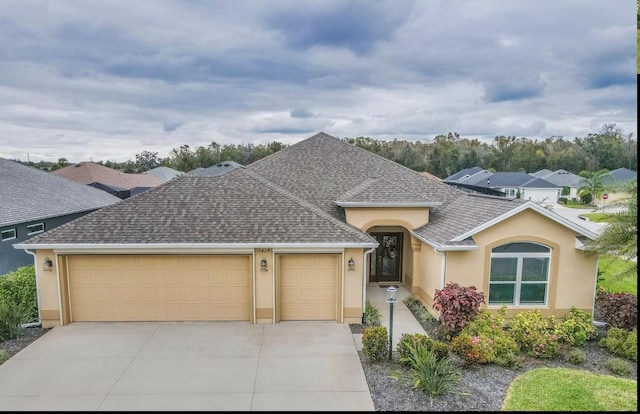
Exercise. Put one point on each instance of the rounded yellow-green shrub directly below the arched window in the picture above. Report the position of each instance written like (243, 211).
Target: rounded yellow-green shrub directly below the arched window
(534, 334)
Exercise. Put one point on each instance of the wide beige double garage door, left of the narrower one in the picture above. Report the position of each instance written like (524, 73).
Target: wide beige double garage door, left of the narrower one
(159, 288)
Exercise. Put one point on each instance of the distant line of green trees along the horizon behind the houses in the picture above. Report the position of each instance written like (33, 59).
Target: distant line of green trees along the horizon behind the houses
(610, 148)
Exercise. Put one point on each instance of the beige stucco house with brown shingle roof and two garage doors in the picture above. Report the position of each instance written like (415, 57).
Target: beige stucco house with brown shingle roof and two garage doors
(302, 235)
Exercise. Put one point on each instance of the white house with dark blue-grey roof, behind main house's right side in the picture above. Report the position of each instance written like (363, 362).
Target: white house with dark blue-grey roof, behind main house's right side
(509, 184)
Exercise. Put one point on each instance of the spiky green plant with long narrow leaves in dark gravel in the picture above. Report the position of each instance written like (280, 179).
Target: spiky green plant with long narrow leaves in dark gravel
(429, 374)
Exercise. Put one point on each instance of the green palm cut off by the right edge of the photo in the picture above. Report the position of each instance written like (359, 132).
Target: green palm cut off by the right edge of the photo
(620, 237)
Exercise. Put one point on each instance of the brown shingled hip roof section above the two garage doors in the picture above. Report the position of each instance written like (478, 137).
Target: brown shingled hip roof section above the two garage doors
(237, 207)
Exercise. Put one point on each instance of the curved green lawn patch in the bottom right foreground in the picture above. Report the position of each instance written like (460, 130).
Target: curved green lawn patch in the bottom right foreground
(563, 389)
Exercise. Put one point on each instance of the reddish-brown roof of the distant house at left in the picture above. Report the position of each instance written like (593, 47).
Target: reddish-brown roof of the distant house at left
(90, 172)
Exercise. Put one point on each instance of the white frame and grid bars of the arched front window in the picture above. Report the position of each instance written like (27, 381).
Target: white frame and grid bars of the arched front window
(520, 256)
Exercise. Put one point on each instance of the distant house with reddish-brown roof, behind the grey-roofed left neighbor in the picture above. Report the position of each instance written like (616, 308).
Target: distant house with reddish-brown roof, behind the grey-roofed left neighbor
(122, 185)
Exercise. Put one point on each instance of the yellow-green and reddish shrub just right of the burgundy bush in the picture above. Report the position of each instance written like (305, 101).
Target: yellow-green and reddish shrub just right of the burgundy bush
(487, 325)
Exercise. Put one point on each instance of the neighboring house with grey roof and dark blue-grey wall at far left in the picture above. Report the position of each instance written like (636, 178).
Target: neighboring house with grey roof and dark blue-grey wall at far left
(34, 201)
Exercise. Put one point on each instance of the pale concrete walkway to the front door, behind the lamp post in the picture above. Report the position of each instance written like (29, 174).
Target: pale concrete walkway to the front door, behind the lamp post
(403, 319)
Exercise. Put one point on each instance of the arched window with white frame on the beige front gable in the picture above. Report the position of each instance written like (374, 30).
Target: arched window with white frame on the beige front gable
(519, 274)
